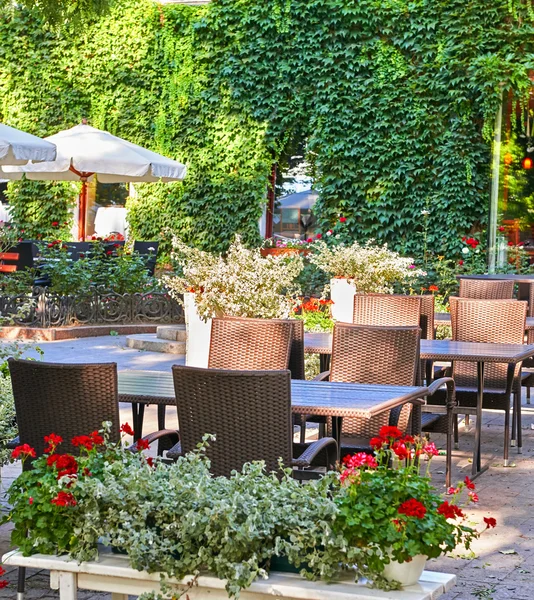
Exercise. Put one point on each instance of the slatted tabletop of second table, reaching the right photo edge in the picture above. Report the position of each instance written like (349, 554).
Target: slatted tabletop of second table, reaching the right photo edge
(321, 343)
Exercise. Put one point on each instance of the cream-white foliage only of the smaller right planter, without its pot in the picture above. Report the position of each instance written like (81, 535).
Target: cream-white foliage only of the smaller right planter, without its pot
(372, 268)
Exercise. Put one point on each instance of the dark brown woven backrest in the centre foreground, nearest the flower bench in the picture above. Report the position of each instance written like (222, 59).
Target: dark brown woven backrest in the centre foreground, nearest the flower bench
(249, 412)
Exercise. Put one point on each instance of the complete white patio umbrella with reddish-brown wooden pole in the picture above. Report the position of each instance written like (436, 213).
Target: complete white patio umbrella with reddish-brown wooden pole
(84, 152)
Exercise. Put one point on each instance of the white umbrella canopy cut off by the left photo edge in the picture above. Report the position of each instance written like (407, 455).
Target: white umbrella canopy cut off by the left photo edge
(18, 147)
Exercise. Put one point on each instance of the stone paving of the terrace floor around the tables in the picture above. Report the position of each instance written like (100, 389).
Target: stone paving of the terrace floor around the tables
(500, 564)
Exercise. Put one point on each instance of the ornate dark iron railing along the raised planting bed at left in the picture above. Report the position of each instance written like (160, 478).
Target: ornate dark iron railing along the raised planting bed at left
(96, 307)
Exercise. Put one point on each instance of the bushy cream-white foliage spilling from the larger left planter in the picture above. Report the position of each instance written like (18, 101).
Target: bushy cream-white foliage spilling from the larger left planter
(241, 284)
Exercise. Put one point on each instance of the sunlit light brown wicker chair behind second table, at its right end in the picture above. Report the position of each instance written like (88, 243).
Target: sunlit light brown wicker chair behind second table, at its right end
(490, 321)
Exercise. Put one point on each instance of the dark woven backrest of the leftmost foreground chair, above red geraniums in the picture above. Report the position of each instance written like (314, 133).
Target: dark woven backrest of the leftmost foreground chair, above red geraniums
(67, 399)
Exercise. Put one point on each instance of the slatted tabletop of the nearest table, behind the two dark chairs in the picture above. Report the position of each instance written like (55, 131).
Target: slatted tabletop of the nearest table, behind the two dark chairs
(307, 397)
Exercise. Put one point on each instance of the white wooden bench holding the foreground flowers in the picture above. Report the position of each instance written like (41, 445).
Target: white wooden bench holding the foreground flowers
(111, 573)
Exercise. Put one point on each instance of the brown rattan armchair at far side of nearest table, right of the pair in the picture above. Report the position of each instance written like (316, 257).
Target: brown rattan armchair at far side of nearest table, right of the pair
(389, 356)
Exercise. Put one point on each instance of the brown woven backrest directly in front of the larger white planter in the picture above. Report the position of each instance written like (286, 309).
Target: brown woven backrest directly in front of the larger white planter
(250, 344)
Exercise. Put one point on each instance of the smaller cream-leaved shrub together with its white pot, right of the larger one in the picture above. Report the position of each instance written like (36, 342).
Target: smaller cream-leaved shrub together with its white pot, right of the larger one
(367, 268)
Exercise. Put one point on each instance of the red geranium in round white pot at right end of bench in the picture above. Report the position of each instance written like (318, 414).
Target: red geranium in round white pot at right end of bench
(396, 511)
